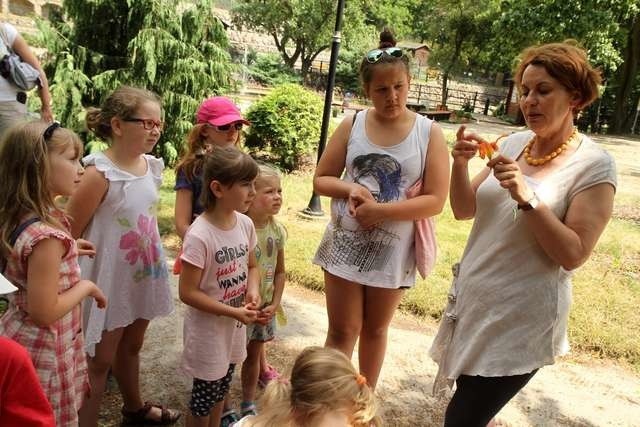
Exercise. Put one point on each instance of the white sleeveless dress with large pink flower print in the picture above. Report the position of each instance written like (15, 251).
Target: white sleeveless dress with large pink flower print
(129, 265)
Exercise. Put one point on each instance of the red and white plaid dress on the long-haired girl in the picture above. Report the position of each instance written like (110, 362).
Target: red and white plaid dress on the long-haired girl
(57, 350)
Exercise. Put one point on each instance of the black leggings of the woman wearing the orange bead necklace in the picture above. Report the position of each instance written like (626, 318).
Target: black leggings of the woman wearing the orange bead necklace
(478, 399)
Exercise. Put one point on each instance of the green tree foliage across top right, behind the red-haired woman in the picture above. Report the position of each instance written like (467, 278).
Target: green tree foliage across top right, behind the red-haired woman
(487, 37)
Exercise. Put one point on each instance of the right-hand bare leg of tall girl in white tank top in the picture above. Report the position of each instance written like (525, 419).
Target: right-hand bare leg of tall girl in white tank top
(379, 306)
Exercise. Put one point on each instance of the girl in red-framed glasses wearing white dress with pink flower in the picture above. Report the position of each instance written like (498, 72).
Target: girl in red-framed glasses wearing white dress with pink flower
(115, 208)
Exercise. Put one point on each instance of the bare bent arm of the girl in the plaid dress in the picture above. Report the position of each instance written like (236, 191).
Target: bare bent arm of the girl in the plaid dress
(45, 305)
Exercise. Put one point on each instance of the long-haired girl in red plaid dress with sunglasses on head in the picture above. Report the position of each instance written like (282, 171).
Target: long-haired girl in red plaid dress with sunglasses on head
(40, 162)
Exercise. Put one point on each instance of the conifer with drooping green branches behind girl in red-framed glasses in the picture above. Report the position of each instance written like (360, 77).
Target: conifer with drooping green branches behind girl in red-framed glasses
(183, 56)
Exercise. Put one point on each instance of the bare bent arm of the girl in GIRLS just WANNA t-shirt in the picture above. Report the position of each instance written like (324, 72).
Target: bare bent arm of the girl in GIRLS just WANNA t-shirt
(191, 294)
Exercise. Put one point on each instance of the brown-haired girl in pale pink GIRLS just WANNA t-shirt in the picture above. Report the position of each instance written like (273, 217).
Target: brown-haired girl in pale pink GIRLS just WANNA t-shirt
(219, 282)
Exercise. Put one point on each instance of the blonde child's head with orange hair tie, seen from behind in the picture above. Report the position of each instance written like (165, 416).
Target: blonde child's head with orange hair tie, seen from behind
(324, 391)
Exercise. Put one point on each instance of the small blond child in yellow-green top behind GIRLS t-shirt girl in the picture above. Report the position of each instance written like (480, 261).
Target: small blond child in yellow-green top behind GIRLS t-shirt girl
(270, 256)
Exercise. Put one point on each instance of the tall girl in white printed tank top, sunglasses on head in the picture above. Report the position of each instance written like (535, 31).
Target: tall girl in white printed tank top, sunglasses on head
(367, 252)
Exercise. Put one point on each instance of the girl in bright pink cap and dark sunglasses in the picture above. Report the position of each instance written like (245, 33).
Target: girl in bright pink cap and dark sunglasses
(218, 124)
